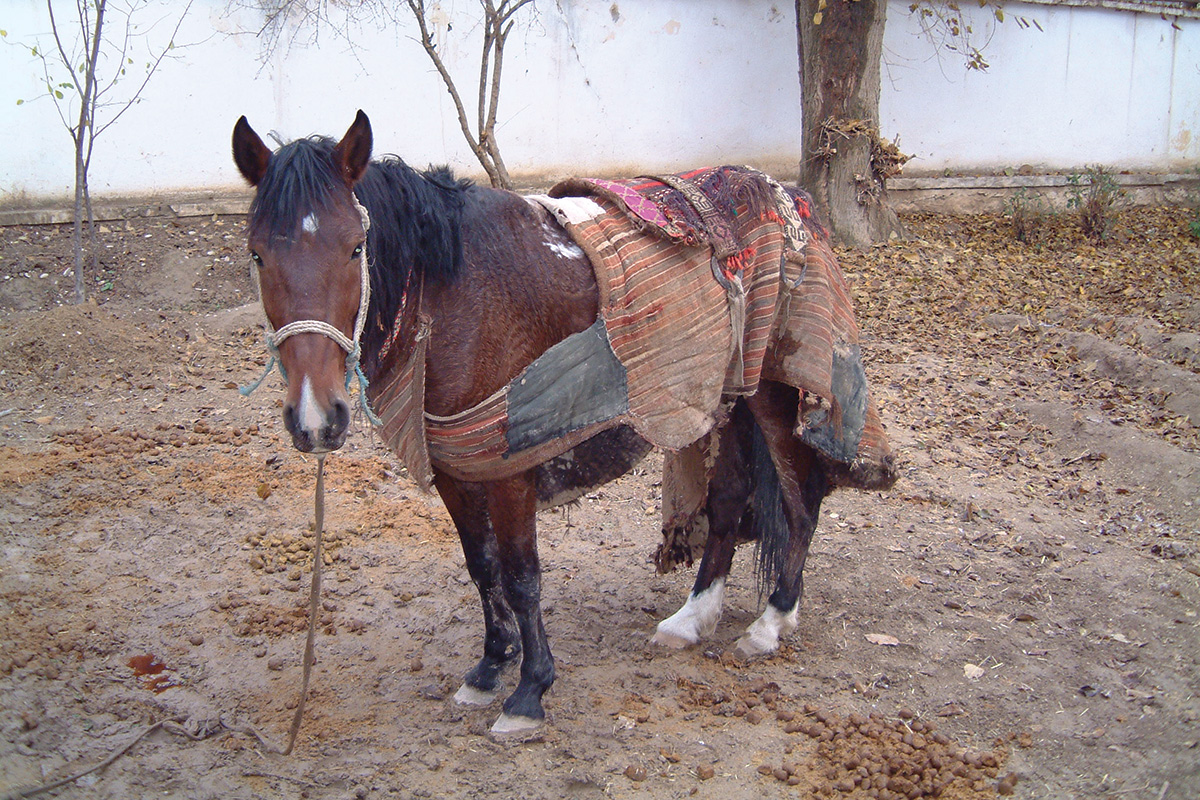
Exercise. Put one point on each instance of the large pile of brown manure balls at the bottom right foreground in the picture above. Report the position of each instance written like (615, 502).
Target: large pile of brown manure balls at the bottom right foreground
(887, 760)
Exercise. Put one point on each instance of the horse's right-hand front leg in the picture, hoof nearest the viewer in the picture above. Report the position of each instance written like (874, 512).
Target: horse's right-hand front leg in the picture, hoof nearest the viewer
(513, 506)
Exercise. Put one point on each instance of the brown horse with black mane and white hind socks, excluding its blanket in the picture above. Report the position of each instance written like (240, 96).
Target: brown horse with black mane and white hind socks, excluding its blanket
(370, 268)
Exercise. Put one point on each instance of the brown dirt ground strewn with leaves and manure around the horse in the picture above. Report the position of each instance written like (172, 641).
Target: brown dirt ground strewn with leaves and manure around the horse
(1023, 604)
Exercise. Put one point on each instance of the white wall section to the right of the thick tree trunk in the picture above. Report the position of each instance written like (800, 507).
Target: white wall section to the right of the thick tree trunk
(1093, 87)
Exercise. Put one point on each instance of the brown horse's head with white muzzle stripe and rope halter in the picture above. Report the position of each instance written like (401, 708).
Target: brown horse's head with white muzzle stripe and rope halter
(307, 239)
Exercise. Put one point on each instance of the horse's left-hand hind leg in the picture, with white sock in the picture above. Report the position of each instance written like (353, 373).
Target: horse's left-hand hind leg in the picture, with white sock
(727, 506)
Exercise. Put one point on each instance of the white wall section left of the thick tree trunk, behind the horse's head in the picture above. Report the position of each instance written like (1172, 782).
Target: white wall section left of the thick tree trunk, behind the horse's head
(589, 87)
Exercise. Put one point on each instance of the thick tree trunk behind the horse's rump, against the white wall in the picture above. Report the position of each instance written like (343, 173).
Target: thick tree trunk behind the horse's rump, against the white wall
(841, 50)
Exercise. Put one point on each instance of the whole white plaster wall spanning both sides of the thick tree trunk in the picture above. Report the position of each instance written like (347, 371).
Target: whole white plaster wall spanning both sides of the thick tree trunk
(603, 87)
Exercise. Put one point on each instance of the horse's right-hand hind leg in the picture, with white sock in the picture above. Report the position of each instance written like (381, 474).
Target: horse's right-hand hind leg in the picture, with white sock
(803, 485)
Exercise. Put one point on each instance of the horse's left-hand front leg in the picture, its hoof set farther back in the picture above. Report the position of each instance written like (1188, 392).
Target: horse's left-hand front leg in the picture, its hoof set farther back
(467, 504)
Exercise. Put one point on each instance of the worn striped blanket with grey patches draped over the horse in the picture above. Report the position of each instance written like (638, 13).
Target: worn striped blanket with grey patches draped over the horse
(699, 303)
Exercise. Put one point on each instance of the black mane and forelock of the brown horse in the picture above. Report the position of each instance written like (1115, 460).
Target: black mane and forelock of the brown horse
(416, 219)
